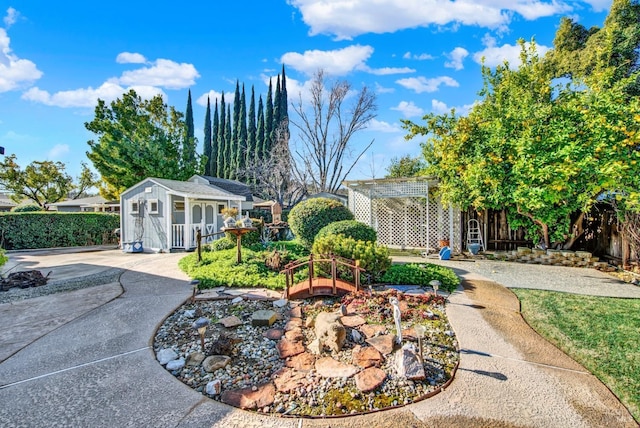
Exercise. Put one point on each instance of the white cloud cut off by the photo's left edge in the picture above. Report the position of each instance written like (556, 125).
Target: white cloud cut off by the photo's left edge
(14, 72)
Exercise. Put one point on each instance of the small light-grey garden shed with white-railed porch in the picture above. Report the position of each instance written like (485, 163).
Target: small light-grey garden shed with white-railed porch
(162, 215)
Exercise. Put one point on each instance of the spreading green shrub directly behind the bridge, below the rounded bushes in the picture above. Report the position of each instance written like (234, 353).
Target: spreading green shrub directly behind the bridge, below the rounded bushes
(374, 258)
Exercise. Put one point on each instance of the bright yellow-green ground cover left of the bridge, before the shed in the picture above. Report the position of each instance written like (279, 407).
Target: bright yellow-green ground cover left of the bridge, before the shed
(219, 268)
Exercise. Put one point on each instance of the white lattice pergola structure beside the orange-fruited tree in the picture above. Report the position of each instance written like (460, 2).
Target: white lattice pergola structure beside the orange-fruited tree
(405, 212)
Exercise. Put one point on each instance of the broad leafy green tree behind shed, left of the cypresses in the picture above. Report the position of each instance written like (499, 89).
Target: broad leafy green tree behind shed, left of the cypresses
(138, 139)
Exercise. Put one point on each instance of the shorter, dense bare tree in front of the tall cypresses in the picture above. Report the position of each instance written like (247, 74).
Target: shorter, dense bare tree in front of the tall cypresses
(277, 177)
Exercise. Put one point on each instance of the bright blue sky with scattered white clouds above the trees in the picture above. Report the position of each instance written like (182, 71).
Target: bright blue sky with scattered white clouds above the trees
(419, 56)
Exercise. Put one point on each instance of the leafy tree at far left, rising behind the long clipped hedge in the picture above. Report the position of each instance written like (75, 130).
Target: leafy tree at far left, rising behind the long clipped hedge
(43, 182)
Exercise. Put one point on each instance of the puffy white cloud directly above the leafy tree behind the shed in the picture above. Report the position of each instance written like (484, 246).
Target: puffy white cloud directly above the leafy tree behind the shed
(163, 73)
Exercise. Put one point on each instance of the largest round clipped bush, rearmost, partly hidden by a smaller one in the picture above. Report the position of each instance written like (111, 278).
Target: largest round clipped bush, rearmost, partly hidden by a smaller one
(308, 217)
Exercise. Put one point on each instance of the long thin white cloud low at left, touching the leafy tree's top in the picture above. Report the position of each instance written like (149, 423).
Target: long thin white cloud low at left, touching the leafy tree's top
(88, 97)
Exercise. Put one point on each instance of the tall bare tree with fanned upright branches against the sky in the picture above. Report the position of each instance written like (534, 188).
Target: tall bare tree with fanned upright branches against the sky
(326, 128)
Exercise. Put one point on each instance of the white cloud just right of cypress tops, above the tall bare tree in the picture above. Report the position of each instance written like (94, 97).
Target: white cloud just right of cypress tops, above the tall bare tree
(336, 62)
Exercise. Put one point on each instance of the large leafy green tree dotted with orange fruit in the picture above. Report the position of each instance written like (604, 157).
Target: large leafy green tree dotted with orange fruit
(537, 148)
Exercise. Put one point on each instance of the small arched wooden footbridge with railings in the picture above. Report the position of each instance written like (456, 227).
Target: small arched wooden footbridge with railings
(320, 286)
